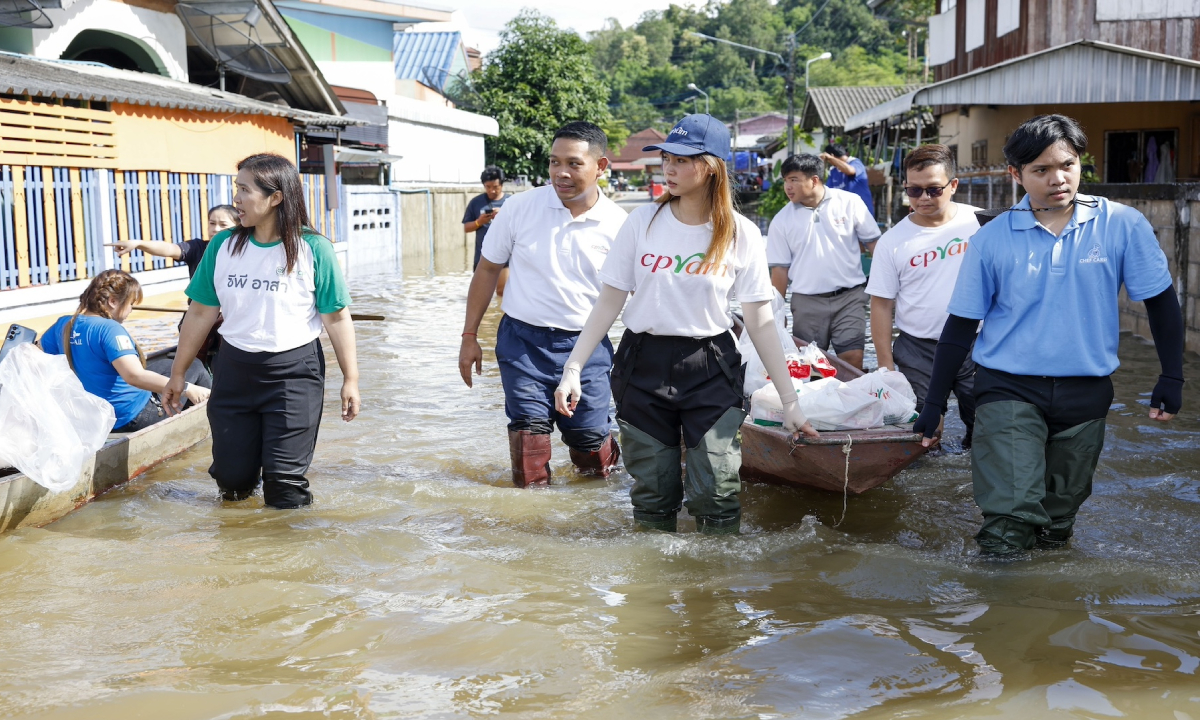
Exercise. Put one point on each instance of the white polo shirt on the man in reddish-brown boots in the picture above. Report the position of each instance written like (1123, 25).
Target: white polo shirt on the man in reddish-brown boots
(554, 259)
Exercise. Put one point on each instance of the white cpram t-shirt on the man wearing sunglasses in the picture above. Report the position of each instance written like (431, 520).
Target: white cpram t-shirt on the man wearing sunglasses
(917, 267)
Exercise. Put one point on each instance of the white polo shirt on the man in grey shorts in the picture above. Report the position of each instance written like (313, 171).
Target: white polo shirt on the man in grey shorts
(821, 245)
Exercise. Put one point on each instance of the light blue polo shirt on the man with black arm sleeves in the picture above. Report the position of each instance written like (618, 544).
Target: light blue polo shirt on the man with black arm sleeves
(1049, 305)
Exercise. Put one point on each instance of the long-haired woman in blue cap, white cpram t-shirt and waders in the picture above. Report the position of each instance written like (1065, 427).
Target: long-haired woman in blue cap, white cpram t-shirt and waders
(677, 371)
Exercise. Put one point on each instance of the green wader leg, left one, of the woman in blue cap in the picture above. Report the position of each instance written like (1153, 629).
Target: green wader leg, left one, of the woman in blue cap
(658, 479)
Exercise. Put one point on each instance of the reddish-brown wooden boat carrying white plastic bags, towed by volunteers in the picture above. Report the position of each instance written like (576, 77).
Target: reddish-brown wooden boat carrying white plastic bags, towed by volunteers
(875, 457)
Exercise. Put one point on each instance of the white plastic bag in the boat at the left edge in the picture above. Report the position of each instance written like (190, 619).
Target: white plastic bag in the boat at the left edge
(50, 425)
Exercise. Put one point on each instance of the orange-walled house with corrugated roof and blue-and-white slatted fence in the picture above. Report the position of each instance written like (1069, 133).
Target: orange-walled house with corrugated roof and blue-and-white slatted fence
(109, 135)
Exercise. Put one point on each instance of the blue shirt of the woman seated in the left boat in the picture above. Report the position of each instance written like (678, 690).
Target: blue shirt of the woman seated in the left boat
(95, 344)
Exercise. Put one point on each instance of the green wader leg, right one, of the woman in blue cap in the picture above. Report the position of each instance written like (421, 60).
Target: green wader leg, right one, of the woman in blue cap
(712, 483)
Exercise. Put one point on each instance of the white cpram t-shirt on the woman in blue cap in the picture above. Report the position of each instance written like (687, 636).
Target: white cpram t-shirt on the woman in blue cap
(675, 291)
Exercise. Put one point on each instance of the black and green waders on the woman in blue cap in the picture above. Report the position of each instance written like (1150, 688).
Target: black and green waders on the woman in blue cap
(669, 389)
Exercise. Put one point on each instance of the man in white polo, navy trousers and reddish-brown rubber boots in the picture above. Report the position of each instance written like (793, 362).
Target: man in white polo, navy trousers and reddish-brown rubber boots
(554, 239)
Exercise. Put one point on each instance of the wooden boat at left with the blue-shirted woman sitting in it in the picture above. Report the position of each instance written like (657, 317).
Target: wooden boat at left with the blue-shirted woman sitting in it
(25, 503)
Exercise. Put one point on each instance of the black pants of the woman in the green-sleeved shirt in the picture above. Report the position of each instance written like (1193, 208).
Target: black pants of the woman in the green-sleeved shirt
(265, 412)
